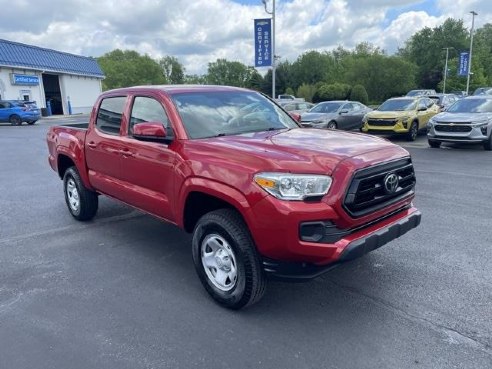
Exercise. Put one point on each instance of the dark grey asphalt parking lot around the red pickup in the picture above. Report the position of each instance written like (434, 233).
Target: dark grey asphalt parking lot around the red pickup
(121, 291)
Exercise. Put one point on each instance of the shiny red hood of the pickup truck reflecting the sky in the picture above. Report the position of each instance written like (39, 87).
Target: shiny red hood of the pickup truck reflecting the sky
(301, 150)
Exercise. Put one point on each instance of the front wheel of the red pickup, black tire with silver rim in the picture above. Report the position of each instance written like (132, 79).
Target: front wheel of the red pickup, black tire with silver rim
(226, 229)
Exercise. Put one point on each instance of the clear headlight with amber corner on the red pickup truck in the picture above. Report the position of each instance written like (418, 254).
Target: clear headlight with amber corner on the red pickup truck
(288, 186)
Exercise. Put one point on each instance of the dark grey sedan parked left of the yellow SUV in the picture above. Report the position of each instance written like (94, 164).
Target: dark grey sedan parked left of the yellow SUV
(335, 114)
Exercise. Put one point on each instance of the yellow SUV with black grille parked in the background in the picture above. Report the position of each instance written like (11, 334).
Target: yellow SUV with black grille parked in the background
(400, 115)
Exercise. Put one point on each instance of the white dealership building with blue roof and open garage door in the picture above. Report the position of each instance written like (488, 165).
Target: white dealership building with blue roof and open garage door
(61, 83)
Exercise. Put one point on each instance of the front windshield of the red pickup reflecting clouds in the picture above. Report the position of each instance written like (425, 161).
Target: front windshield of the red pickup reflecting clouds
(221, 113)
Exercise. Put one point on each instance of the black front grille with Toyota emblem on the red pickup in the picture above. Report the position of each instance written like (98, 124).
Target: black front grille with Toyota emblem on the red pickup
(375, 187)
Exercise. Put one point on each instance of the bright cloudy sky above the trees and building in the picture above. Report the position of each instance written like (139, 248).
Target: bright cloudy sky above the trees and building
(200, 31)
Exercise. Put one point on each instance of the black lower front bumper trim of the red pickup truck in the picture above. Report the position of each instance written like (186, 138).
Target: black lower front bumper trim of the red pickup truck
(354, 249)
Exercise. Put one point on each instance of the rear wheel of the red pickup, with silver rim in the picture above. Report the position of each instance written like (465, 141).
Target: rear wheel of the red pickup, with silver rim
(81, 202)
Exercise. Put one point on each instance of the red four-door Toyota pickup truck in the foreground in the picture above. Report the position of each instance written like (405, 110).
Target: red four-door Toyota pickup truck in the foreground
(263, 197)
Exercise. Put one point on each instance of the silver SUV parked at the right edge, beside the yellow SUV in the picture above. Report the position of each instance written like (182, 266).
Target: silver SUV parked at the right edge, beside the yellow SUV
(468, 120)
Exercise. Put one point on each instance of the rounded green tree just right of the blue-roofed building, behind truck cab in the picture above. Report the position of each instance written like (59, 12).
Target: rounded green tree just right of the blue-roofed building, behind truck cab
(129, 68)
